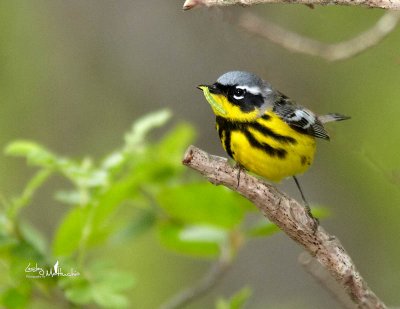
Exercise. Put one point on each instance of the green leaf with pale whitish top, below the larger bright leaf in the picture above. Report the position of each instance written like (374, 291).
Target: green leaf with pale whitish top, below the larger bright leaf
(197, 240)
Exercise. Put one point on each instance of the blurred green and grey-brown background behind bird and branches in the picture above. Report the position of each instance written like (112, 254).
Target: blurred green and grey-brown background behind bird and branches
(76, 74)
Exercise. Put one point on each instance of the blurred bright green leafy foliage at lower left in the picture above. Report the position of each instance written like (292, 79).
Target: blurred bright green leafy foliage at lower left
(145, 179)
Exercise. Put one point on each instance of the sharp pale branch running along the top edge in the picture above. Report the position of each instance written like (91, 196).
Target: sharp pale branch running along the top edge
(383, 4)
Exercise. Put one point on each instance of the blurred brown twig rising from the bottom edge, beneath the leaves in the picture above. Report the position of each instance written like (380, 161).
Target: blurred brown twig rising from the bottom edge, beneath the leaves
(216, 272)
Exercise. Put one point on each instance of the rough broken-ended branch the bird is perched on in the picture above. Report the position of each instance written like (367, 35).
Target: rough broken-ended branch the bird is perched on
(292, 218)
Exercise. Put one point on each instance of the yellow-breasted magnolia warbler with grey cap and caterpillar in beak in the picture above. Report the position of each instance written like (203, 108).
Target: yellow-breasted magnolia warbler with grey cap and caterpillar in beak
(263, 130)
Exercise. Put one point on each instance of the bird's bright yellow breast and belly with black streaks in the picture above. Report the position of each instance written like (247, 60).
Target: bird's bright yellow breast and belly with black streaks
(267, 146)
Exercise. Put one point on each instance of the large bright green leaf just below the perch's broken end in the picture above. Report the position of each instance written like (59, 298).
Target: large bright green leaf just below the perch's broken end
(203, 203)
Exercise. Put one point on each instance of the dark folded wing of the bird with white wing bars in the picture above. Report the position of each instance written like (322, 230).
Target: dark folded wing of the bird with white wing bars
(298, 117)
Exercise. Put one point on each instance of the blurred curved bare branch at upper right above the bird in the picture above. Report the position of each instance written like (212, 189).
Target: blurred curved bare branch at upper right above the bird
(332, 52)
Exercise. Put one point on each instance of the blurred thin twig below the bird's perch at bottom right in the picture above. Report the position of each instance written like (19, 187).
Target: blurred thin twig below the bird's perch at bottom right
(314, 268)
